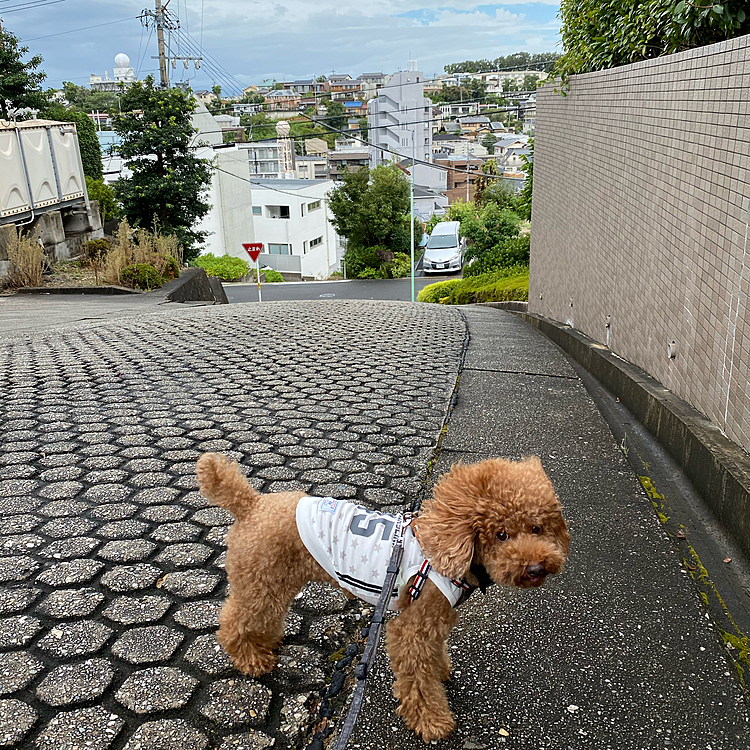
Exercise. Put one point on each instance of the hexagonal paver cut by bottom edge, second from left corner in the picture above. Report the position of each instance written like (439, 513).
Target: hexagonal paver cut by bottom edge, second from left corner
(90, 728)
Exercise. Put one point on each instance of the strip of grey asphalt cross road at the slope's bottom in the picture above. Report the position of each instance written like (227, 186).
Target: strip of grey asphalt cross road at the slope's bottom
(397, 290)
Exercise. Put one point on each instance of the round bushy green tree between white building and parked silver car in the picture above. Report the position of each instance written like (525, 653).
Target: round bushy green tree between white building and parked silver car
(371, 208)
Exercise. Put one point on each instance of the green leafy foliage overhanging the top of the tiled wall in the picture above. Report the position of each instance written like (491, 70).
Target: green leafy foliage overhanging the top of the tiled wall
(599, 34)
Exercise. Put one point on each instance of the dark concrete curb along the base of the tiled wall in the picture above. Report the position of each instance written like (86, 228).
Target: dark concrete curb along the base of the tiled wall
(718, 468)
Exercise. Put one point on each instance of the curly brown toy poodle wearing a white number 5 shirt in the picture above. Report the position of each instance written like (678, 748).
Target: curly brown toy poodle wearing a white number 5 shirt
(496, 521)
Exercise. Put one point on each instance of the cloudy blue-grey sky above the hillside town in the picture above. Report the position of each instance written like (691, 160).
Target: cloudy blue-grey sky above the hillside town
(248, 40)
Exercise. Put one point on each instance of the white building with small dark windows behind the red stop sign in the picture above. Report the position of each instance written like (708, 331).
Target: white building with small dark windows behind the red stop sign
(288, 216)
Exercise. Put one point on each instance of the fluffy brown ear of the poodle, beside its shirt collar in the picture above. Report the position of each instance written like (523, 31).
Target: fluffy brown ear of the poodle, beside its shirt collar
(445, 527)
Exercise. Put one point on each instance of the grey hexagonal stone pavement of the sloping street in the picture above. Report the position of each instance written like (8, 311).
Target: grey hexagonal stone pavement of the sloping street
(111, 562)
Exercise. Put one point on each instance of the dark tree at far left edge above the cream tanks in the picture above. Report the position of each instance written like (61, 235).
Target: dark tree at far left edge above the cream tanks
(20, 83)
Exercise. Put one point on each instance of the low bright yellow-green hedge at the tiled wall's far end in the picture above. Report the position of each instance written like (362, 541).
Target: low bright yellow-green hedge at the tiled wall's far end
(500, 286)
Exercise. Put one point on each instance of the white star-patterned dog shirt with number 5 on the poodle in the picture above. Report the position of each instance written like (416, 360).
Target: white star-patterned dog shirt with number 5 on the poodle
(353, 545)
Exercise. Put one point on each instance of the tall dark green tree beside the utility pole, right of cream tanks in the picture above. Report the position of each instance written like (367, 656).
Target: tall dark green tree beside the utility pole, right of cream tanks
(168, 183)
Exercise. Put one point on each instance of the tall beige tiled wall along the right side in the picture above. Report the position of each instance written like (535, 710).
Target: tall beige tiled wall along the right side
(640, 211)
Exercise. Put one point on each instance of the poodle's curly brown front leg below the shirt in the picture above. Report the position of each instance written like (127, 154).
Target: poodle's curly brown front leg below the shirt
(416, 646)
